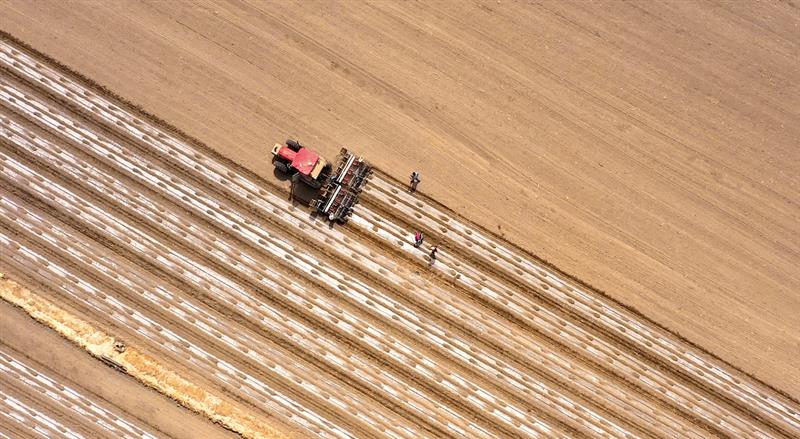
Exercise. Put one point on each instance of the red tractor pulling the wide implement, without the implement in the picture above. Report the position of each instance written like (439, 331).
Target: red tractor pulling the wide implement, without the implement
(301, 163)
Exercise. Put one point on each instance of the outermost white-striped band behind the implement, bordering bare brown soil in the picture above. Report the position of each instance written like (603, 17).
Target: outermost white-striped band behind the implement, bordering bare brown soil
(666, 351)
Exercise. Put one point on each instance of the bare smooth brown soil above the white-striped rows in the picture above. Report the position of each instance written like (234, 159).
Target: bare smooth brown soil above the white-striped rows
(650, 150)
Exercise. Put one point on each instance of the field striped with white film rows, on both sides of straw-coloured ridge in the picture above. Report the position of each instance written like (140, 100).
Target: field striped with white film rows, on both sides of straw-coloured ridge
(329, 331)
